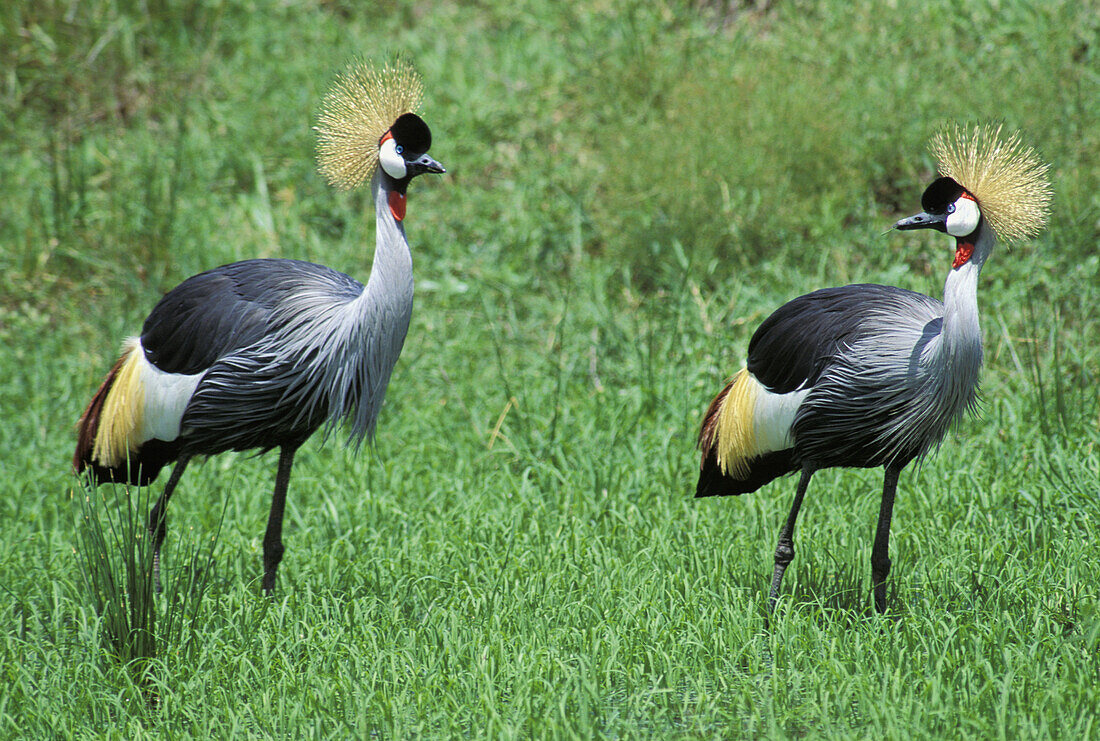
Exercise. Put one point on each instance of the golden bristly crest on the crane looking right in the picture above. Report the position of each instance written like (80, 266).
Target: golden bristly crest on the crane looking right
(360, 107)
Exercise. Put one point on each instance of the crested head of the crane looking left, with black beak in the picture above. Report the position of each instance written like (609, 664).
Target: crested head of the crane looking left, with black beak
(986, 180)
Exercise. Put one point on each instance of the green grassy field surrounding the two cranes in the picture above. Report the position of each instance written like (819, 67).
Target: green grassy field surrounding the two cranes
(633, 187)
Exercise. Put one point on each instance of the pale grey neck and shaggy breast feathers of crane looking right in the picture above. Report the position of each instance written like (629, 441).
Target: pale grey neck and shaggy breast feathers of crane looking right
(329, 362)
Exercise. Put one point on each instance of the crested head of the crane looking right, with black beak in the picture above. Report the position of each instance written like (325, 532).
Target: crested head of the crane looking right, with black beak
(367, 120)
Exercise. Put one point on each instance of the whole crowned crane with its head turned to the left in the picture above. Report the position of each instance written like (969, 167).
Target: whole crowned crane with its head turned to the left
(865, 375)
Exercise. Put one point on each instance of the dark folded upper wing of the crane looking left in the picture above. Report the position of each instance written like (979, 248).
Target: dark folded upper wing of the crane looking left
(793, 348)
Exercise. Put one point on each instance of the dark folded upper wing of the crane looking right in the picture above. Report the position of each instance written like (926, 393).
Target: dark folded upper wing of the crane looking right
(230, 307)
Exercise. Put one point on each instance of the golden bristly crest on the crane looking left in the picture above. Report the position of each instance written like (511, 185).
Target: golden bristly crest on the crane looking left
(1008, 179)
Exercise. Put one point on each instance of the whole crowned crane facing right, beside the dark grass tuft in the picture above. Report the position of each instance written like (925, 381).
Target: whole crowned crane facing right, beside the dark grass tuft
(259, 355)
